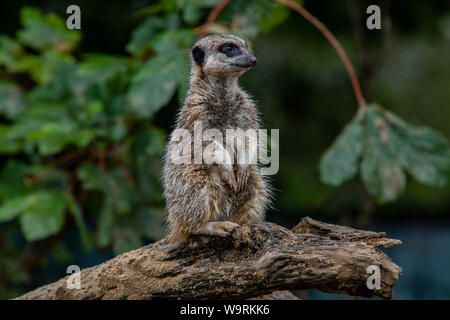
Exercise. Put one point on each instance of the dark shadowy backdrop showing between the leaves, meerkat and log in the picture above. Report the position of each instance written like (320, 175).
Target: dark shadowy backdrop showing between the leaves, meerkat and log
(301, 88)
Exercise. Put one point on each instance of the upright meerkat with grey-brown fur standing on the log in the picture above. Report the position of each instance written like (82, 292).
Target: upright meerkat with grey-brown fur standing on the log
(215, 199)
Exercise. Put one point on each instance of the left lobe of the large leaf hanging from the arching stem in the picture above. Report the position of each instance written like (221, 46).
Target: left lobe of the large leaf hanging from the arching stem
(340, 162)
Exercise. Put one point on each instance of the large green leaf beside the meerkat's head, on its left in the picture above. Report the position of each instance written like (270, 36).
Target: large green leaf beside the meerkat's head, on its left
(155, 83)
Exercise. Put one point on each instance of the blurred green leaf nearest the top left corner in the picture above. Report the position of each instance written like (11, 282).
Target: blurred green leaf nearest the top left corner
(46, 31)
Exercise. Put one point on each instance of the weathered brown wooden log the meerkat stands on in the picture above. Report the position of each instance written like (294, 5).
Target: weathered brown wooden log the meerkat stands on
(255, 260)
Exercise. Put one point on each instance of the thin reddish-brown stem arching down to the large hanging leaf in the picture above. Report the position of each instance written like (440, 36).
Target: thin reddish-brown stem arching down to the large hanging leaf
(336, 45)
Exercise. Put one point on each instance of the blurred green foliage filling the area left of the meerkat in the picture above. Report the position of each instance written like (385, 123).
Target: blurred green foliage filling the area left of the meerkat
(77, 128)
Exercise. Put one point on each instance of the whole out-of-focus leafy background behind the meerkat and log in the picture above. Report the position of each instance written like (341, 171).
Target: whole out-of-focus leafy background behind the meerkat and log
(84, 116)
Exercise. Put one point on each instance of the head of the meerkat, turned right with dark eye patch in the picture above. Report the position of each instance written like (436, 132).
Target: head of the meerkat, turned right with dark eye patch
(222, 55)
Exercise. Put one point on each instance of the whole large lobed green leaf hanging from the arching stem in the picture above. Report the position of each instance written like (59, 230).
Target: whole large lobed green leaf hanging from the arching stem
(389, 147)
